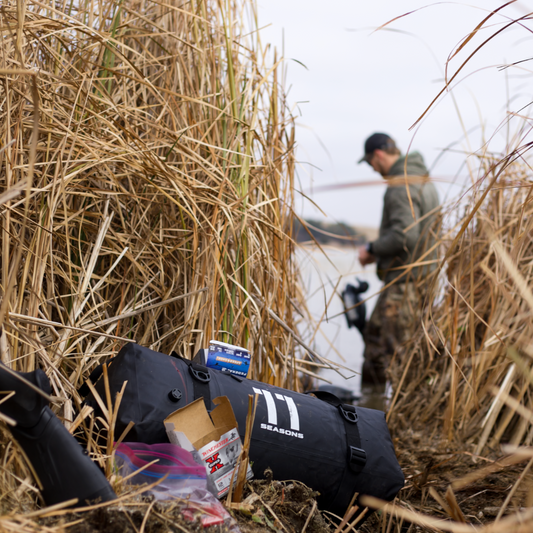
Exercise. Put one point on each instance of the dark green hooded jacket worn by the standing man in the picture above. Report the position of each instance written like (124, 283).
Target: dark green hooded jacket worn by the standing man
(396, 248)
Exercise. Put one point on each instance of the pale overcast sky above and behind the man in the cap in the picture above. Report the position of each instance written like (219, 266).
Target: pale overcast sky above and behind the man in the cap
(357, 81)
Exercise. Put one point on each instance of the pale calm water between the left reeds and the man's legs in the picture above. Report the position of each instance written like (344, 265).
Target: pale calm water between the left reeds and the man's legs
(322, 276)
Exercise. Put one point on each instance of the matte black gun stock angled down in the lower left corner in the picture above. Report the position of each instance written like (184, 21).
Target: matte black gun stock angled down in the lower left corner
(61, 464)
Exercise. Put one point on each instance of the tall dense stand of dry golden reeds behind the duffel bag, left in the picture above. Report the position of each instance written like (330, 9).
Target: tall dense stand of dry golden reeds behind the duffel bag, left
(146, 189)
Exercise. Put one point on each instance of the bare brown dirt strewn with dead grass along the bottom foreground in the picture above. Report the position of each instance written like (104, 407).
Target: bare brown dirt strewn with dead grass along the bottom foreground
(442, 481)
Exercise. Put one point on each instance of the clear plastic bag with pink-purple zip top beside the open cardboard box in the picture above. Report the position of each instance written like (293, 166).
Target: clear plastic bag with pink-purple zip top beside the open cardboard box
(181, 478)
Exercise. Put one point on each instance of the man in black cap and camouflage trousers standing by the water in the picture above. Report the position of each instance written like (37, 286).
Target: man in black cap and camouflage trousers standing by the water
(406, 236)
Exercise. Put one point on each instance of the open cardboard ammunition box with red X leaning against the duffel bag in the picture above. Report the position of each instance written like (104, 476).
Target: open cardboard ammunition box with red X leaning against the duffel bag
(215, 437)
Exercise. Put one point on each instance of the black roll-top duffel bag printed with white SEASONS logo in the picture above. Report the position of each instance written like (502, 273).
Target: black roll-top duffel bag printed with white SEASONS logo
(334, 448)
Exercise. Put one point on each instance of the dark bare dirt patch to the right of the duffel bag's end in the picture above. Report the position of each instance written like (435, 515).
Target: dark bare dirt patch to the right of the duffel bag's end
(445, 482)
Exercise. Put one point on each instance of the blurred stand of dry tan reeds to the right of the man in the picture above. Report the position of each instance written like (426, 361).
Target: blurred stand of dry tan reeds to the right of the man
(476, 338)
